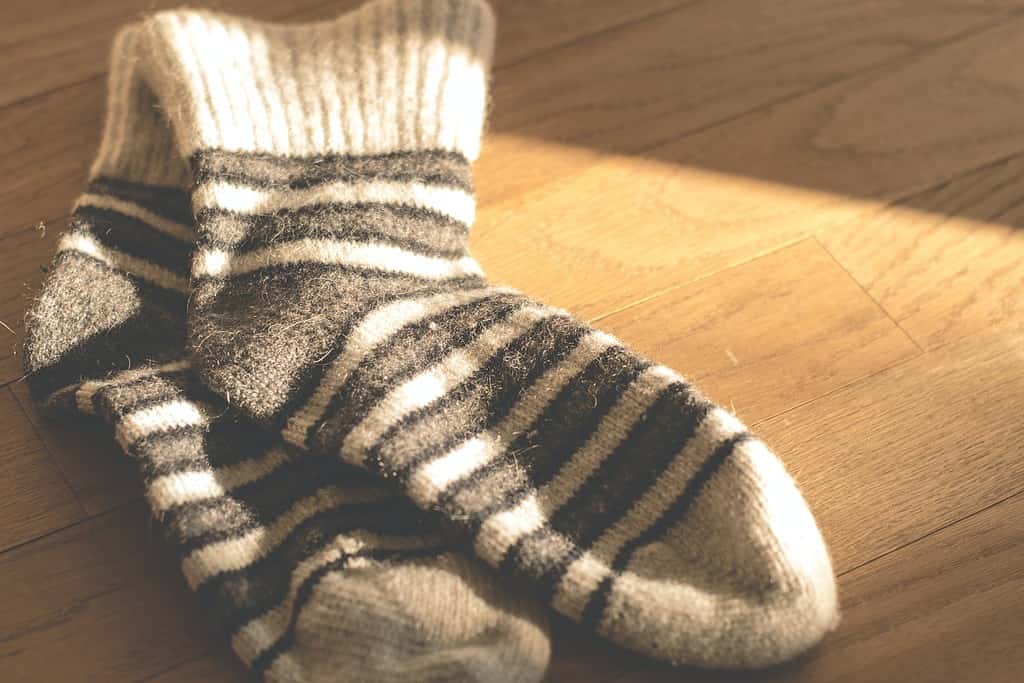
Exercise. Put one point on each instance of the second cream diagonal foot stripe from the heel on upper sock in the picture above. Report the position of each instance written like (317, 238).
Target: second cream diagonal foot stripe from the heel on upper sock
(432, 385)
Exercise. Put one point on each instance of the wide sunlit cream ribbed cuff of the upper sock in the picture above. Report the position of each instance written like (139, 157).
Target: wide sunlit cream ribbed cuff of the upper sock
(392, 76)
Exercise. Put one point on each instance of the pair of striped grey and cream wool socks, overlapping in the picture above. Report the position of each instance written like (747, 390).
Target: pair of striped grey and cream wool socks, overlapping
(334, 304)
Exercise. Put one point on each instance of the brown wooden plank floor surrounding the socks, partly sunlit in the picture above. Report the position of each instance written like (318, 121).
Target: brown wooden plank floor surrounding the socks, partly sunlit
(816, 209)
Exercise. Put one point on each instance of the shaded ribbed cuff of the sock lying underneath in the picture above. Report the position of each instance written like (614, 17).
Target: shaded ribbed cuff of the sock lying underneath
(138, 144)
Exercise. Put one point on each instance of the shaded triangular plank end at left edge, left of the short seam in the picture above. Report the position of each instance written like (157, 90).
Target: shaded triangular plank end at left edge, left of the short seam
(34, 497)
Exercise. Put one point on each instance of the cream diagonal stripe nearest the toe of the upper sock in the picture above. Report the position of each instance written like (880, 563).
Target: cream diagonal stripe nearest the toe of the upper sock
(586, 574)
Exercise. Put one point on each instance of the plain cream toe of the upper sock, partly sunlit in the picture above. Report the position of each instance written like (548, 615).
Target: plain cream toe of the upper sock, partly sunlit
(744, 581)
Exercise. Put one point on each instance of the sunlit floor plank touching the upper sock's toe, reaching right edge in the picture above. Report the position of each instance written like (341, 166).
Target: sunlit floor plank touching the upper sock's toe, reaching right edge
(912, 449)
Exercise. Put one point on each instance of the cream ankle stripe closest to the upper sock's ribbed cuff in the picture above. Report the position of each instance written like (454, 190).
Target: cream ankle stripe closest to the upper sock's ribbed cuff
(451, 202)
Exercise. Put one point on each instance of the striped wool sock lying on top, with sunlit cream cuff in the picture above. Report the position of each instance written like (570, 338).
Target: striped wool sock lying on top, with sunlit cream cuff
(334, 298)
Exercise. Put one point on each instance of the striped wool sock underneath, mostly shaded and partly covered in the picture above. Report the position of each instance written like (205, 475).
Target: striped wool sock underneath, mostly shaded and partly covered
(317, 573)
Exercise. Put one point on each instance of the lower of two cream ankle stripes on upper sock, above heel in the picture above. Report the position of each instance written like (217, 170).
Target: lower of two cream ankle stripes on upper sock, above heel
(219, 263)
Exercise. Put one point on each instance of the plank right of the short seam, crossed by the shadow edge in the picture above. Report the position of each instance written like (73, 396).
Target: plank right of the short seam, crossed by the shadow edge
(948, 262)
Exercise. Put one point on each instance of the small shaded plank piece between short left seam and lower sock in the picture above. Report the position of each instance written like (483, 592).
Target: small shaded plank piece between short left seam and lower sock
(96, 468)
